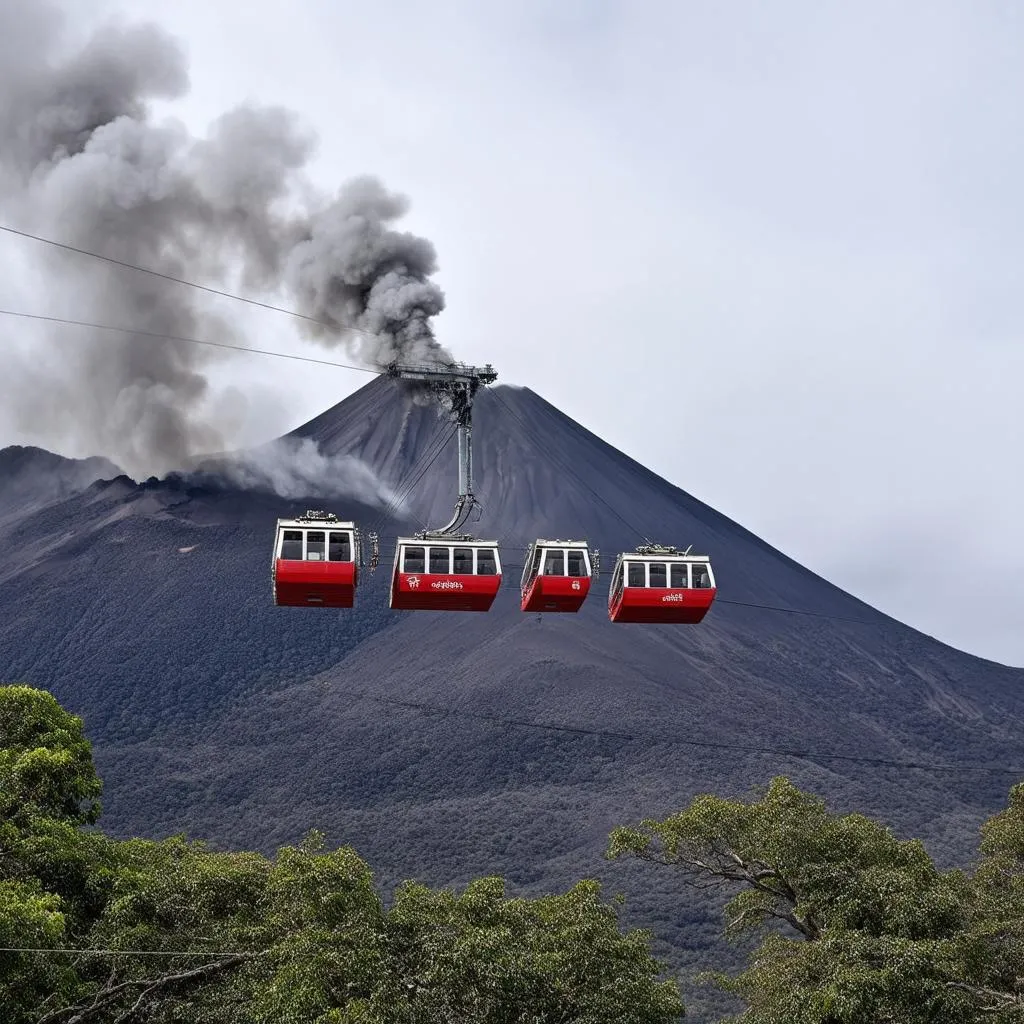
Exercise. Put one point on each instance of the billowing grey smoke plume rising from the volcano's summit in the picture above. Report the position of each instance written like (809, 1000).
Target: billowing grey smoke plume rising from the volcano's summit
(83, 161)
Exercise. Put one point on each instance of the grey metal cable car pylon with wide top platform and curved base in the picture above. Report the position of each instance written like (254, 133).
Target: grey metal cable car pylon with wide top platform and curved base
(456, 386)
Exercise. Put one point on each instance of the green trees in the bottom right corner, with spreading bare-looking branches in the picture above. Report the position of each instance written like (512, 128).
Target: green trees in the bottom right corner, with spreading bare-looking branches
(857, 927)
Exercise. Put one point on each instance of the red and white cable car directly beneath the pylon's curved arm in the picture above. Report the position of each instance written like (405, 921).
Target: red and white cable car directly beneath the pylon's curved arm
(445, 575)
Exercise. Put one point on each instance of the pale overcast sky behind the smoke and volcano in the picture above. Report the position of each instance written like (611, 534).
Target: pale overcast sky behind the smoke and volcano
(773, 251)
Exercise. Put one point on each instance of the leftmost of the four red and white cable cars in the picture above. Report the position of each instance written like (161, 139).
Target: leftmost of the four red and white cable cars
(317, 562)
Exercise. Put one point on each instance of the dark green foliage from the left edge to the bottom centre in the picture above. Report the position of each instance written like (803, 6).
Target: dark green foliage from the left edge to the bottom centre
(174, 932)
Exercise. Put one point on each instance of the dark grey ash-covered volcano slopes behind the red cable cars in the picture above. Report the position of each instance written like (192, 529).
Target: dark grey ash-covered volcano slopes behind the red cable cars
(147, 609)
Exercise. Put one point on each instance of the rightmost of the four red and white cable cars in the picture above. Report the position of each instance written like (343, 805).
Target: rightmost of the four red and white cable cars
(657, 584)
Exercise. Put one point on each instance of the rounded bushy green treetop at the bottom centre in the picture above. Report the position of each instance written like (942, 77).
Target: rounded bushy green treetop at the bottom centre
(483, 957)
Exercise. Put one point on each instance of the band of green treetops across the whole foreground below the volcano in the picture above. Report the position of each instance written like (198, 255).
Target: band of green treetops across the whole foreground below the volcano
(846, 924)
